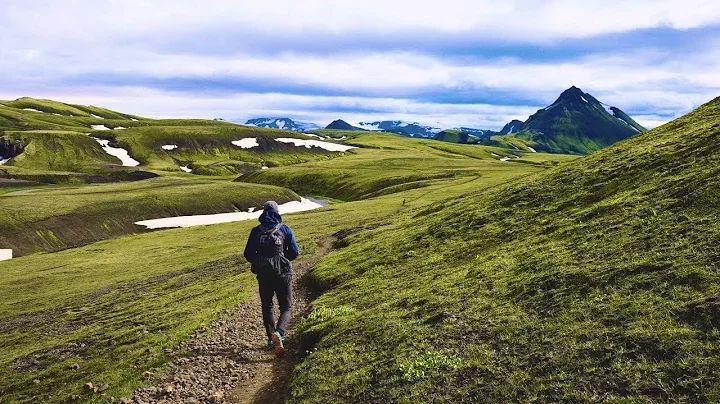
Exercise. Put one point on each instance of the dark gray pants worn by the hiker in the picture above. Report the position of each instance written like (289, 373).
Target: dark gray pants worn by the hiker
(282, 287)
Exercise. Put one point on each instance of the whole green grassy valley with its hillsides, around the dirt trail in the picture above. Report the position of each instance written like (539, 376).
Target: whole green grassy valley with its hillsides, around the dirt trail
(457, 271)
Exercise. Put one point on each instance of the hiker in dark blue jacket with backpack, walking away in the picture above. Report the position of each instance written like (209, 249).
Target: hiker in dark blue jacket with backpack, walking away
(270, 248)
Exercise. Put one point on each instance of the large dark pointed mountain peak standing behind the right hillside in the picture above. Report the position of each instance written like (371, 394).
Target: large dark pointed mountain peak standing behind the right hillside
(576, 123)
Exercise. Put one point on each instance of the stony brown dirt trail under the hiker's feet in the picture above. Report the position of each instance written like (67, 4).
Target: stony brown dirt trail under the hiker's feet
(229, 363)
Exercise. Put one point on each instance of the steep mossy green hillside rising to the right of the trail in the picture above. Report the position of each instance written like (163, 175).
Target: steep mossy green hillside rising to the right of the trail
(593, 281)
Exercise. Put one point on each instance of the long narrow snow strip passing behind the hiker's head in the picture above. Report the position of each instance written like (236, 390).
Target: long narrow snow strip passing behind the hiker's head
(304, 204)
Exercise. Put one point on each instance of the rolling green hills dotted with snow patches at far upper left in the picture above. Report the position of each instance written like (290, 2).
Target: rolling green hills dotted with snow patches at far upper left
(55, 138)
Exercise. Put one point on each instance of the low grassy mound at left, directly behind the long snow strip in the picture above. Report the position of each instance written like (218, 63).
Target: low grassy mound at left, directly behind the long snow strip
(55, 218)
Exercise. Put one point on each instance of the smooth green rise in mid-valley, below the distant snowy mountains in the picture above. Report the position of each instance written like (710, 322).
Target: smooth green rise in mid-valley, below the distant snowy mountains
(390, 163)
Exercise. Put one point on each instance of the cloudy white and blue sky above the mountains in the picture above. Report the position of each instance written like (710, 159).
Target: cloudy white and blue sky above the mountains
(450, 63)
